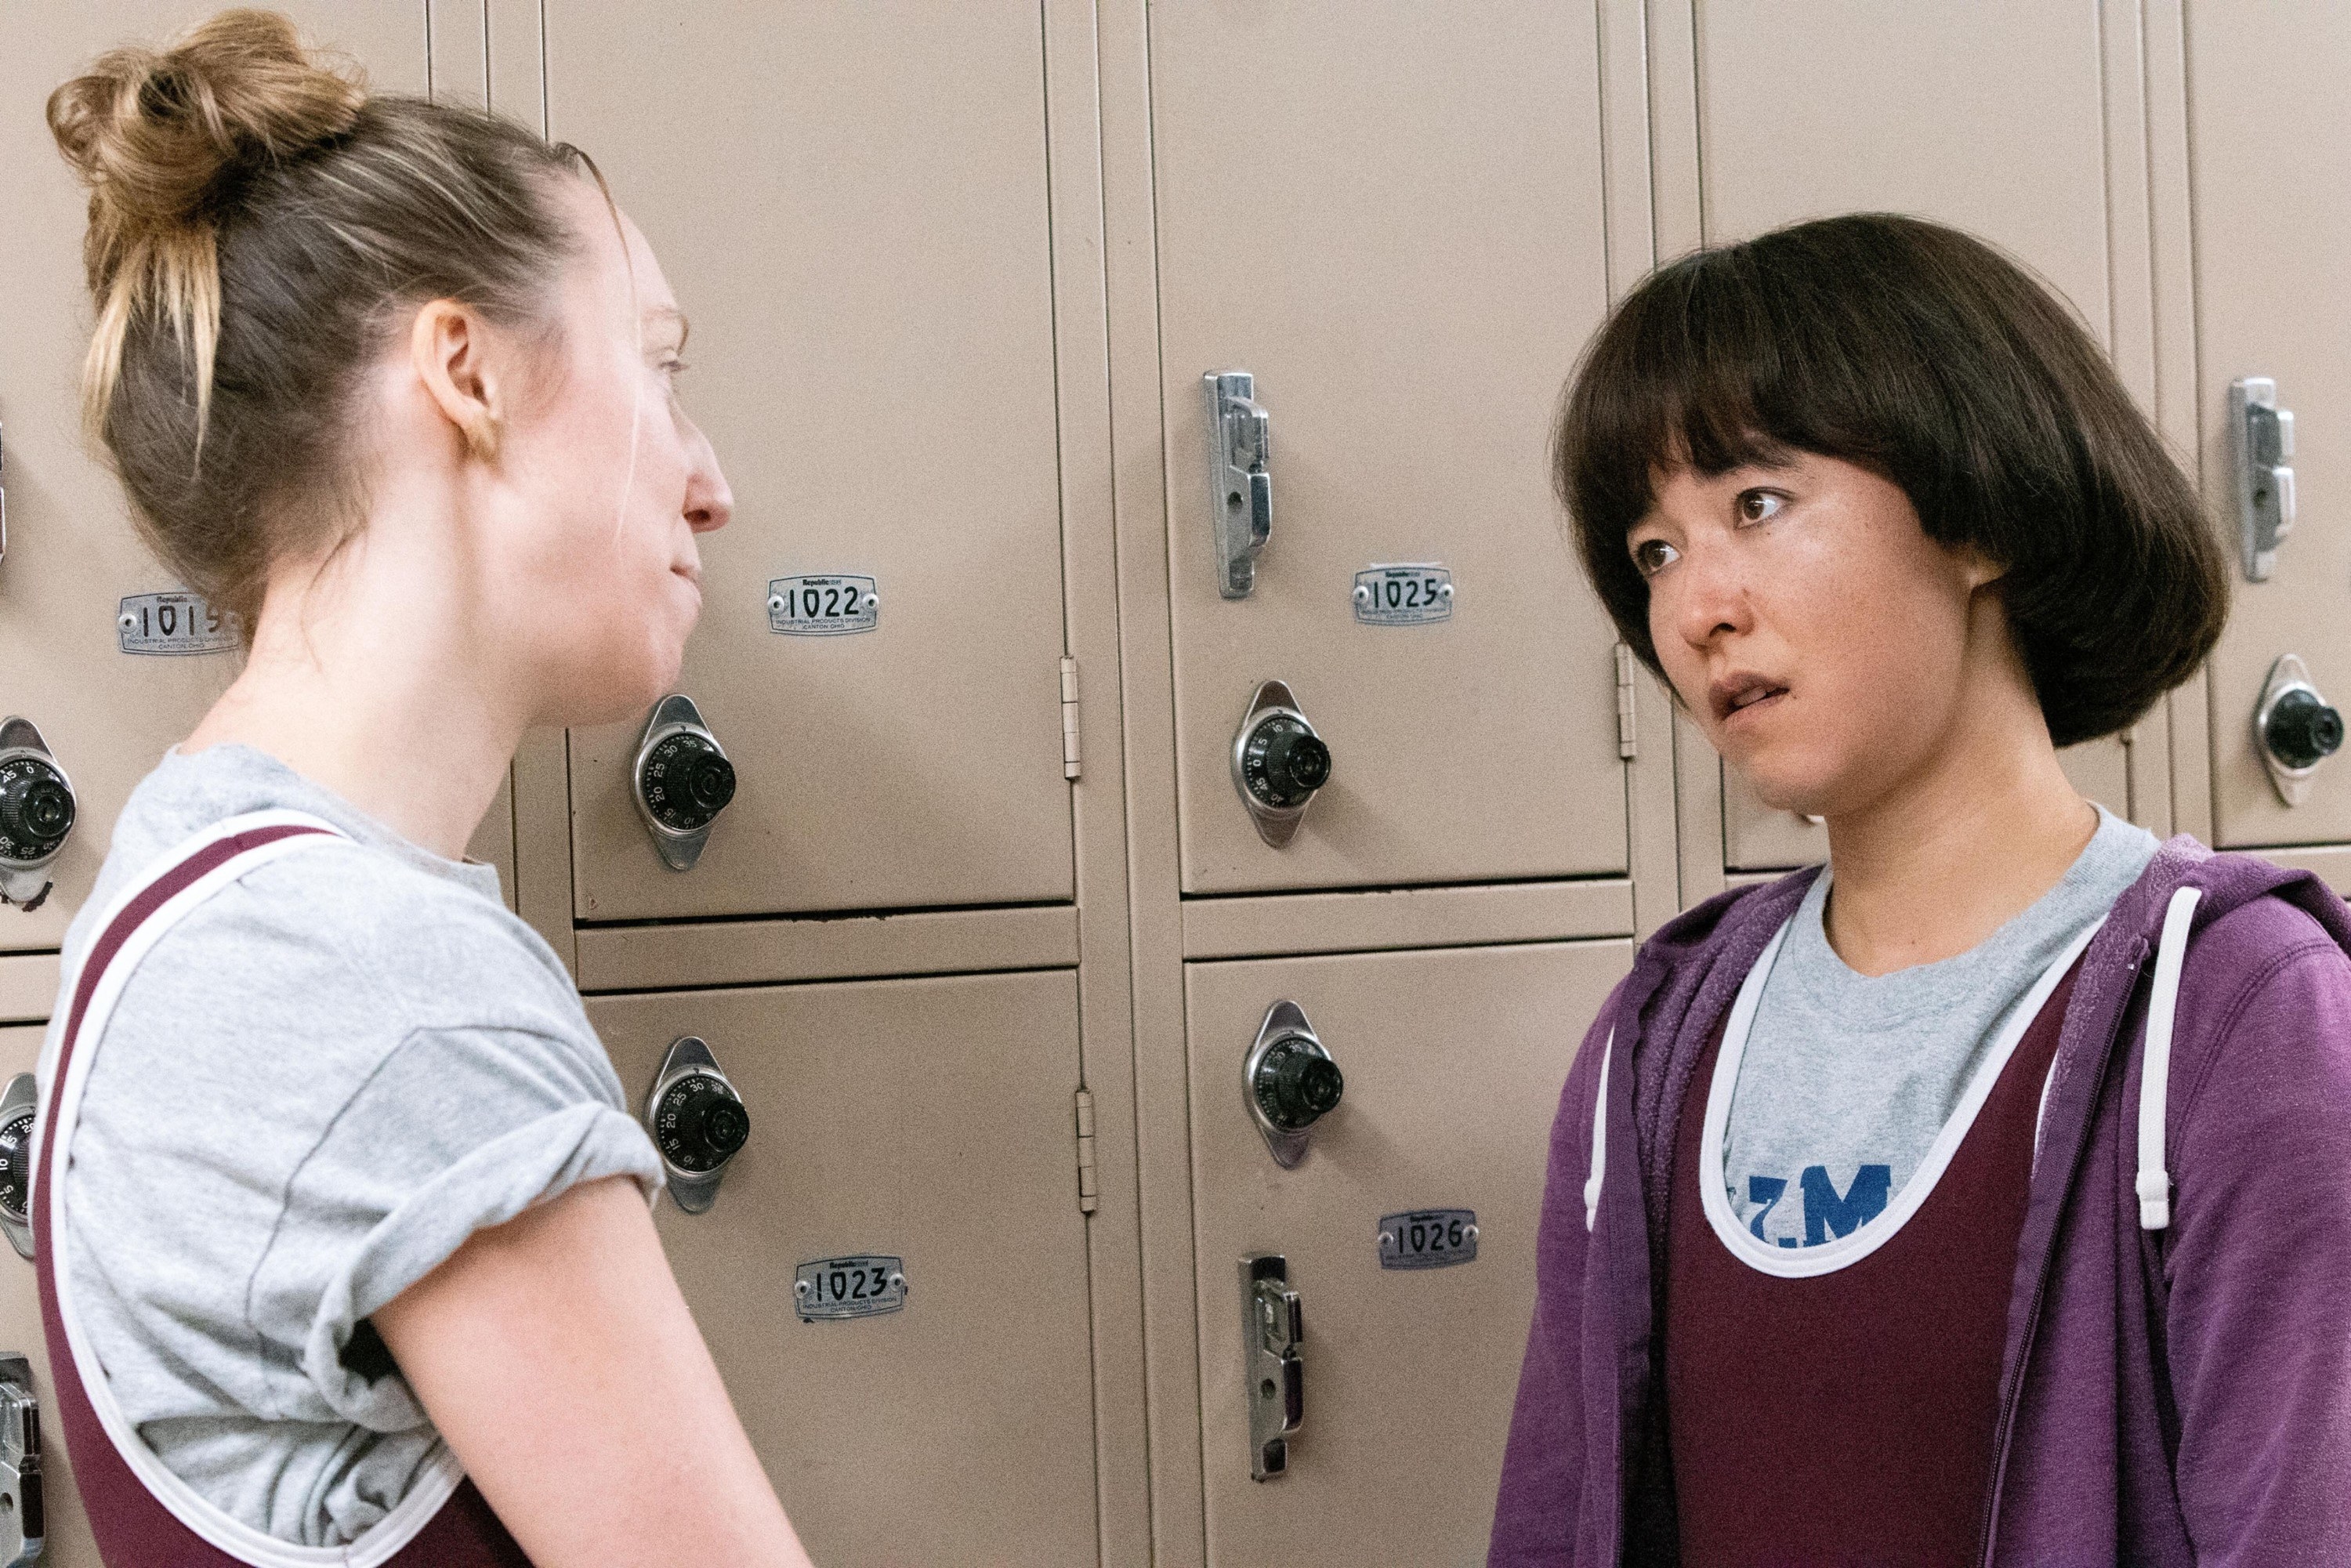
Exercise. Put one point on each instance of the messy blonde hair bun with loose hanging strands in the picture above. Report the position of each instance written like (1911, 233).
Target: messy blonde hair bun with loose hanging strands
(159, 138)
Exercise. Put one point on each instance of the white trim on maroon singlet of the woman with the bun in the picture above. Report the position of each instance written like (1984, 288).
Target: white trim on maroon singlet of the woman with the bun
(441, 1475)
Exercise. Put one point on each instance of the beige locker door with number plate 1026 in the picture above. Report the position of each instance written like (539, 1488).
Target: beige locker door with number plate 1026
(1452, 1076)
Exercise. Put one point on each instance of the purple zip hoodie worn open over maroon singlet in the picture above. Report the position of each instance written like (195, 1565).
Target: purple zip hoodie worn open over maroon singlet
(2166, 1398)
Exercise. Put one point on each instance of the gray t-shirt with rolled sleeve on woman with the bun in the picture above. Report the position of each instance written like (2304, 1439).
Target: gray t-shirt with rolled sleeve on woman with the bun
(312, 1092)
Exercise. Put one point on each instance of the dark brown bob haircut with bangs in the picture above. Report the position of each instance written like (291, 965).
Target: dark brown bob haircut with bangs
(1938, 363)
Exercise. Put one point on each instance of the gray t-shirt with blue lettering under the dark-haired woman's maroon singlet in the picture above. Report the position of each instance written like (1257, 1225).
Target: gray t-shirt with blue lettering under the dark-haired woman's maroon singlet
(1849, 1080)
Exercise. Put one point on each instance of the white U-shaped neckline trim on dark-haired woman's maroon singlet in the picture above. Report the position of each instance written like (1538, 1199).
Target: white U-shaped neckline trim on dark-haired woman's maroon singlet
(1844, 1252)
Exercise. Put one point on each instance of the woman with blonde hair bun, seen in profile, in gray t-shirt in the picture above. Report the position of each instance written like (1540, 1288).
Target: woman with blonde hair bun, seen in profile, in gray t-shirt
(342, 1219)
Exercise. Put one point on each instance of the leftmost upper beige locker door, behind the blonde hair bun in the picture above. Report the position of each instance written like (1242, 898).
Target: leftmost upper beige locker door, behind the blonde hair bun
(72, 558)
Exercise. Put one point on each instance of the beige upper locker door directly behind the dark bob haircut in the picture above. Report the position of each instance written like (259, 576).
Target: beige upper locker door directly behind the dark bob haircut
(1983, 116)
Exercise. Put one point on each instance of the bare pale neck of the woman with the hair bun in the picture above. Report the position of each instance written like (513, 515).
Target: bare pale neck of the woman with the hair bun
(375, 681)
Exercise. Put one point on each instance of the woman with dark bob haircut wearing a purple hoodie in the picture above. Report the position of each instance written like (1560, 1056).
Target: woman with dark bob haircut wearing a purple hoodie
(1983, 1198)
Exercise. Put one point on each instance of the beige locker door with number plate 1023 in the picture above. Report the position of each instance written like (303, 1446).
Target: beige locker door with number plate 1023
(927, 1123)
